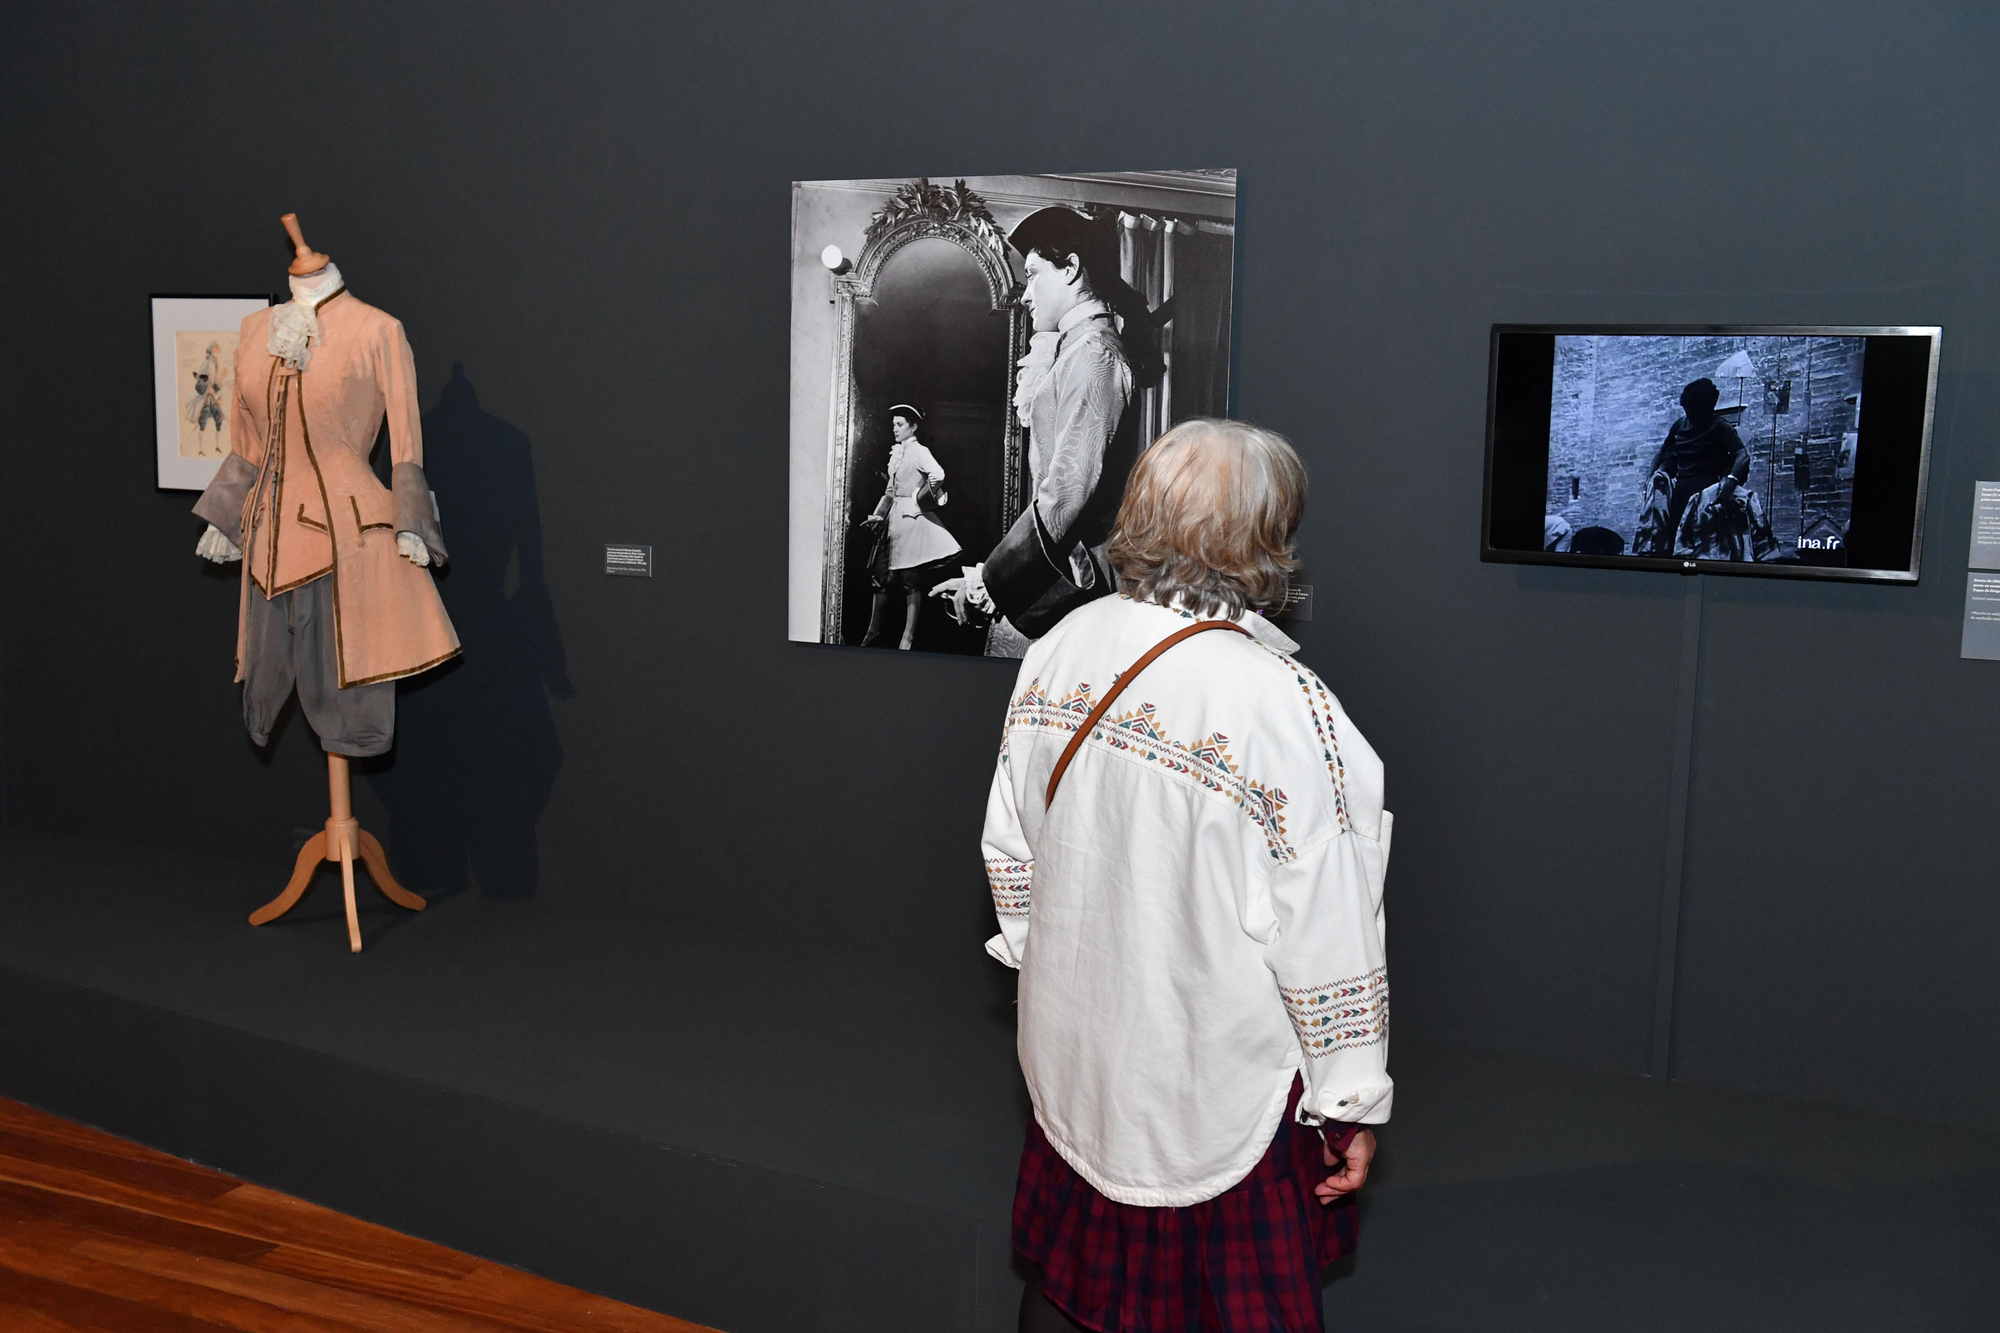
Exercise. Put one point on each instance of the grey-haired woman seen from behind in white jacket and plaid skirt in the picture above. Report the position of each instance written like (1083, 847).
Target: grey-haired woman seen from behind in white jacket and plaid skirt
(1187, 850)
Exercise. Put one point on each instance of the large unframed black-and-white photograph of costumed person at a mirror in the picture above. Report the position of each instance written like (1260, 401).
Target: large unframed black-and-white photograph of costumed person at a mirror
(977, 363)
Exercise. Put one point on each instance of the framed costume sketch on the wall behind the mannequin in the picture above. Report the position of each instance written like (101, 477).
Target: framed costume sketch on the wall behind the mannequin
(193, 383)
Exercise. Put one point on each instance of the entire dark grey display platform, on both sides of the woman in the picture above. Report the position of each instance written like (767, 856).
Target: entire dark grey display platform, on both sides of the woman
(763, 1136)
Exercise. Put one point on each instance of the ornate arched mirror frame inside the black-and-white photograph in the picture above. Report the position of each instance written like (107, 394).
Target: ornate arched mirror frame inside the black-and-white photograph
(917, 211)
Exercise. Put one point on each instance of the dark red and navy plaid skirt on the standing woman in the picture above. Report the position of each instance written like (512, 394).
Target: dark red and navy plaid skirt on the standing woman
(1245, 1262)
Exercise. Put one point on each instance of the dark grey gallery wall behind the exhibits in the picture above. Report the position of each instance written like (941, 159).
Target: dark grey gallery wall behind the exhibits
(587, 209)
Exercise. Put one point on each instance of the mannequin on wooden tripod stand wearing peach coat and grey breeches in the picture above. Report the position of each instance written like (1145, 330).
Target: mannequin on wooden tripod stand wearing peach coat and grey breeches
(335, 595)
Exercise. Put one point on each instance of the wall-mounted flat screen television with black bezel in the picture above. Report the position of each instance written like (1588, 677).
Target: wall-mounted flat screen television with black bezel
(1719, 449)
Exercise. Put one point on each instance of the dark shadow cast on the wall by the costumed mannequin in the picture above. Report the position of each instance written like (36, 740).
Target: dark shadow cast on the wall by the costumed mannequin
(477, 750)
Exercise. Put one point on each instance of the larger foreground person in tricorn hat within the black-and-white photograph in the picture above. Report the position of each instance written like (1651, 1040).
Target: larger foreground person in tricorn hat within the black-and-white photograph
(1083, 437)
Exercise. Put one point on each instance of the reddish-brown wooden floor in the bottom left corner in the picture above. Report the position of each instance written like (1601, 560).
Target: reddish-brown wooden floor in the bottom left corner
(99, 1234)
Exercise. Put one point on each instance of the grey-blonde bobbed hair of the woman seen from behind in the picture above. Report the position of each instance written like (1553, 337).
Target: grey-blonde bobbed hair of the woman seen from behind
(1209, 519)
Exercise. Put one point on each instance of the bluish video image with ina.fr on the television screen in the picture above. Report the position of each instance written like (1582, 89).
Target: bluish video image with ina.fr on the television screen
(1707, 447)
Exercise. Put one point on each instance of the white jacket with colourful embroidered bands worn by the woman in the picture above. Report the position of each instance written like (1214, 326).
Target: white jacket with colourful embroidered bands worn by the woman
(1199, 916)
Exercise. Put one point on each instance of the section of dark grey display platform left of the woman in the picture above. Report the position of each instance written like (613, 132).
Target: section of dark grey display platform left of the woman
(723, 1128)
